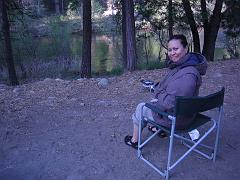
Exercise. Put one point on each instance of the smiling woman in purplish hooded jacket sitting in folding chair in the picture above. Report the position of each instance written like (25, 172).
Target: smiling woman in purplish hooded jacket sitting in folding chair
(183, 79)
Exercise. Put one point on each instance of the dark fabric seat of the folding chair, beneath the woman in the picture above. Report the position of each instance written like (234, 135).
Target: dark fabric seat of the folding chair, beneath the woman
(198, 121)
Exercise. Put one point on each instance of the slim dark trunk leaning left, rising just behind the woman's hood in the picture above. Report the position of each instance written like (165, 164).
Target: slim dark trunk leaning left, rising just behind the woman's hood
(193, 26)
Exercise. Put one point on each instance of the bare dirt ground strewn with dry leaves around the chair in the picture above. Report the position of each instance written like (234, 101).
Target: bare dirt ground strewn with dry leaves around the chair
(74, 130)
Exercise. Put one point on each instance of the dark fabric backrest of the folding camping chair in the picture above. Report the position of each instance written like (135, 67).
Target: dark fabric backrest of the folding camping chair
(185, 106)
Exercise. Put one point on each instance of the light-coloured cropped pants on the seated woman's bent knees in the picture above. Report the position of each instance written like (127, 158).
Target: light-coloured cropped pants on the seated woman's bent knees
(146, 112)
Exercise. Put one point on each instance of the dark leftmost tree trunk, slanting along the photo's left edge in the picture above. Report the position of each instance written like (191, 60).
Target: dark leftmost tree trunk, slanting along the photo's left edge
(8, 46)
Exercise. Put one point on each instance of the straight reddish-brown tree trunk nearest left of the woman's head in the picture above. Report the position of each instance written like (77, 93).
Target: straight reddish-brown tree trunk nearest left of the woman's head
(130, 35)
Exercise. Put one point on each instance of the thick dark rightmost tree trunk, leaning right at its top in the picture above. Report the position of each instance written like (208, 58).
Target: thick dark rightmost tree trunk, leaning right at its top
(210, 34)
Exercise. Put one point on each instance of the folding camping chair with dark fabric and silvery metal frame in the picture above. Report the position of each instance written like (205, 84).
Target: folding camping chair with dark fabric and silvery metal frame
(185, 106)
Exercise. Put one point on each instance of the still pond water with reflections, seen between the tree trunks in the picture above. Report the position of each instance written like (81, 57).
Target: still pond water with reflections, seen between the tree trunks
(61, 56)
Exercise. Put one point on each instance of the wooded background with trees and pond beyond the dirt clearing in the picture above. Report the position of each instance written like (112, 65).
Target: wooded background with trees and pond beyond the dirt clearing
(83, 38)
